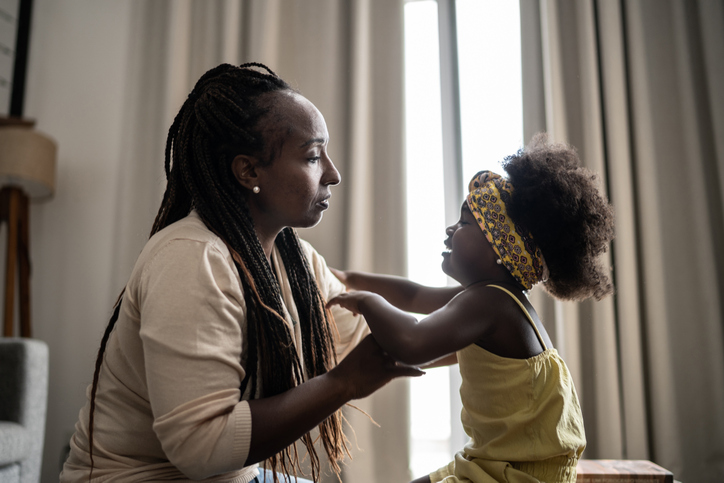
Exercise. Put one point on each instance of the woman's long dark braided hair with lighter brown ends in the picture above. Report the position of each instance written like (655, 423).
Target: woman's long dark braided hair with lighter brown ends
(225, 116)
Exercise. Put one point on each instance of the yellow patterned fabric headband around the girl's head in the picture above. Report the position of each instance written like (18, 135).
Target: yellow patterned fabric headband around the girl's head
(489, 192)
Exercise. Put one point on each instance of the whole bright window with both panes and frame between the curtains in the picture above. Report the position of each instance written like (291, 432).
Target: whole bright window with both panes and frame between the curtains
(463, 114)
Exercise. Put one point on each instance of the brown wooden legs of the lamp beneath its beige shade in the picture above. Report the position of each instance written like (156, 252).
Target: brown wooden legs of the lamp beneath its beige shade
(14, 212)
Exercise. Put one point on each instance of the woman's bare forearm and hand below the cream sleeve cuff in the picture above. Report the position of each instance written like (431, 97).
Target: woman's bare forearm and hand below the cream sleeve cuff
(280, 420)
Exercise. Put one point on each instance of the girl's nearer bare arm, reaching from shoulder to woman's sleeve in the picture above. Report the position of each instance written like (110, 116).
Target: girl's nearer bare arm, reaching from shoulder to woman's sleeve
(458, 324)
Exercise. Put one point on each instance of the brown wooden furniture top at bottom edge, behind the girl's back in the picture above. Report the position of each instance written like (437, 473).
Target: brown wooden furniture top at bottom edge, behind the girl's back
(622, 471)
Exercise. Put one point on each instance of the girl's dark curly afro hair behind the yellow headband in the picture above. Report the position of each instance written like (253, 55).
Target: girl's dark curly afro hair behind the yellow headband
(571, 221)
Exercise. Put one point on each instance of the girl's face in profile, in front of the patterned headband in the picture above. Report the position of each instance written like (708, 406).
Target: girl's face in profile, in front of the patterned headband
(469, 258)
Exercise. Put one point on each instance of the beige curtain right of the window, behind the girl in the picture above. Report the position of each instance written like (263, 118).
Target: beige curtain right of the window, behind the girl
(636, 86)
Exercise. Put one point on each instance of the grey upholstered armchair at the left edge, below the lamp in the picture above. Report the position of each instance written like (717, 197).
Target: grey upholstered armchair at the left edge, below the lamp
(23, 407)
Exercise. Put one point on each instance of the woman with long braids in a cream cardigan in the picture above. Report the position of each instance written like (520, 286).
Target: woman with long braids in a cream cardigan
(220, 353)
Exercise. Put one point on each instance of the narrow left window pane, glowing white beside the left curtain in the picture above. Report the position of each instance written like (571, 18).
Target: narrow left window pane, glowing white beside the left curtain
(430, 410)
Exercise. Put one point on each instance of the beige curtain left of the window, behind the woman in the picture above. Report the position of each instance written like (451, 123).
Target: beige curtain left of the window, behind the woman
(346, 57)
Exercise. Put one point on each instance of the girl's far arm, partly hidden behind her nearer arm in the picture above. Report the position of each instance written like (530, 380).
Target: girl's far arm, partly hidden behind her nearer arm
(400, 292)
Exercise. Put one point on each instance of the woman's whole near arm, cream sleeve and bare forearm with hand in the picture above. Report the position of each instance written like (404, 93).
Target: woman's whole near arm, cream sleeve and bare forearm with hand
(191, 338)
